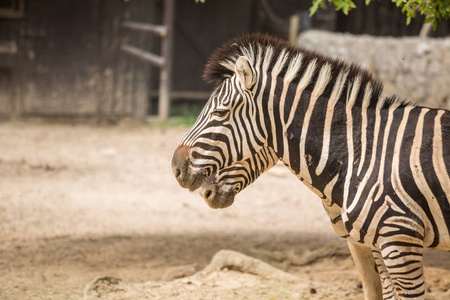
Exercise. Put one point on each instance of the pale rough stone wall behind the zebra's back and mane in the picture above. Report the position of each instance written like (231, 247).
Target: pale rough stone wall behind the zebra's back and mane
(410, 67)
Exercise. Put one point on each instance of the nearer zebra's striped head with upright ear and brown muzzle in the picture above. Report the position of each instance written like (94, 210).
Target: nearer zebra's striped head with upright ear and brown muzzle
(222, 135)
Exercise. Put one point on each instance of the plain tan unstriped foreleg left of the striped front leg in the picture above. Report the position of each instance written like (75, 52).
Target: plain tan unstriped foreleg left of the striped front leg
(365, 264)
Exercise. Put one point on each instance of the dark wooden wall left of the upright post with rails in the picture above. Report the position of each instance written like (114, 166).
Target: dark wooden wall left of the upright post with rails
(68, 61)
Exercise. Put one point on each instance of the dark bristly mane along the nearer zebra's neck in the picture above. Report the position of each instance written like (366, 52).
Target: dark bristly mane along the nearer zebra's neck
(220, 65)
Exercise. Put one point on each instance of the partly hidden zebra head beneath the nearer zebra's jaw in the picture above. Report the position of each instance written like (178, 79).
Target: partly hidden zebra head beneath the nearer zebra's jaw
(220, 188)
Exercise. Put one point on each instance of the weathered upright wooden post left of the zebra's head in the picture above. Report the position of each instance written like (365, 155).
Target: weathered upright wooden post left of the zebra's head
(166, 52)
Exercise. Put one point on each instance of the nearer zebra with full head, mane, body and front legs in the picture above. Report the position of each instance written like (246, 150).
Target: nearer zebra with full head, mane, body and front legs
(380, 164)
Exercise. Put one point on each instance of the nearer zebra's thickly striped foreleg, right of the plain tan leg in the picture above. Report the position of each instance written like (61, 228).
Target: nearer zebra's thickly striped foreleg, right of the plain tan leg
(403, 259)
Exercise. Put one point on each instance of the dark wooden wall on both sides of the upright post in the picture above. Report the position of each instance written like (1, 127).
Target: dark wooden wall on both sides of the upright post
(69, 63)
